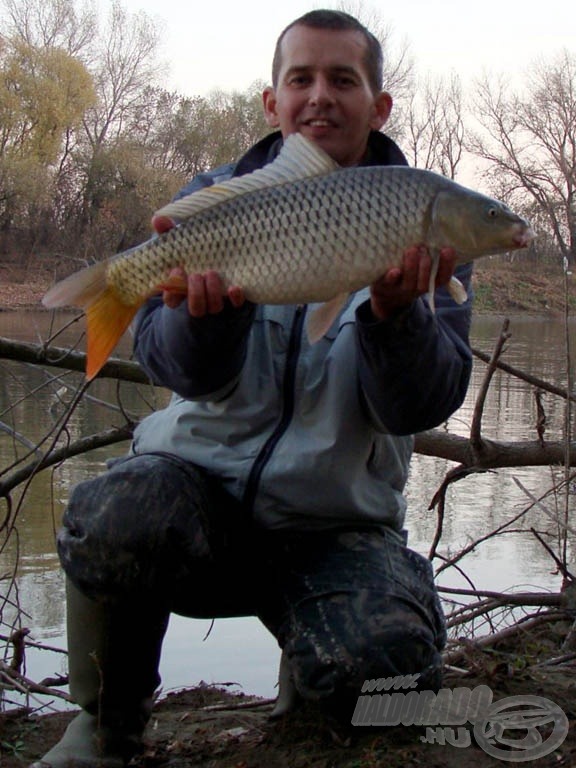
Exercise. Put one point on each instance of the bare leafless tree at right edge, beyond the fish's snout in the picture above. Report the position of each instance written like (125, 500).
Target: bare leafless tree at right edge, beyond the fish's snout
(528, 138)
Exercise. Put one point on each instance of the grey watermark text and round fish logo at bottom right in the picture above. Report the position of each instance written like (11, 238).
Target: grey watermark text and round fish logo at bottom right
(515, 729)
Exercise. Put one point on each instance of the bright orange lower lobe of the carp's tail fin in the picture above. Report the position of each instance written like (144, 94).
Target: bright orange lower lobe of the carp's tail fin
(107, 320)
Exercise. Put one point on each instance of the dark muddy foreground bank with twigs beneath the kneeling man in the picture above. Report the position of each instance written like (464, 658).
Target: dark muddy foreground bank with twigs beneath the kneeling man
(211, 727)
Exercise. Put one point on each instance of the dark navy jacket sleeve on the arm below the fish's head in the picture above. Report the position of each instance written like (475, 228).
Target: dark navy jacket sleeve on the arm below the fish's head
(414, 369)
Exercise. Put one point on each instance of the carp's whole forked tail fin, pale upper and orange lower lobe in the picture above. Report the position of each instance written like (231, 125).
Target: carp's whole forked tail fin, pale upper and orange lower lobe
(107, 317)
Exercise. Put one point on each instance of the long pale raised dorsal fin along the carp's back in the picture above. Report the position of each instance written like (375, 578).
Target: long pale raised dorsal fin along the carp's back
(298, 159)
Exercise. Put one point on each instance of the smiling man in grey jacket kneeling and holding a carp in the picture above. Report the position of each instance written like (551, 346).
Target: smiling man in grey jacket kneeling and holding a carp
(272, 483)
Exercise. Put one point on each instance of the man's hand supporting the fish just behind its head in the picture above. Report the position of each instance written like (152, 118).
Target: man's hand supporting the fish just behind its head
(400, 286)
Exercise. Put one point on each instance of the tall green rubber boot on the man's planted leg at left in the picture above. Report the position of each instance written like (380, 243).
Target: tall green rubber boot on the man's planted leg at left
(113, 657)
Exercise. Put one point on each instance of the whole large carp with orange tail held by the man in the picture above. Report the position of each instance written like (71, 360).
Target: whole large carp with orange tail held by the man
(299, 230)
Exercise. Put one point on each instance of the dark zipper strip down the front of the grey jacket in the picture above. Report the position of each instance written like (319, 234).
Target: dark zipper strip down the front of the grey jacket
(289, 396)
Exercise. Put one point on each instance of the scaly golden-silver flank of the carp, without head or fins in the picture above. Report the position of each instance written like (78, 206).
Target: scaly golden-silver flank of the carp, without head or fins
(274, 242)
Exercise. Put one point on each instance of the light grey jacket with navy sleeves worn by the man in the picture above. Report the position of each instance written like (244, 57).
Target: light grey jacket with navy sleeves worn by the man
(307, 436)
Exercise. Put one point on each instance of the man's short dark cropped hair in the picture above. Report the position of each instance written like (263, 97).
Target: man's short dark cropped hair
(338, 20)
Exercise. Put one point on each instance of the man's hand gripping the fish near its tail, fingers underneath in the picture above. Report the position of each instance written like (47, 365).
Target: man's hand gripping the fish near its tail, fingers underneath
(203, 293)
